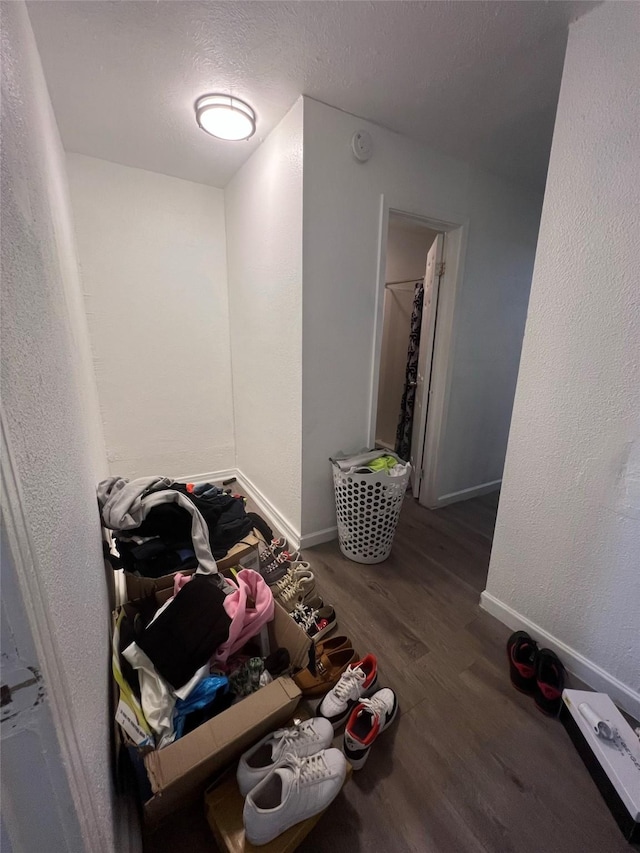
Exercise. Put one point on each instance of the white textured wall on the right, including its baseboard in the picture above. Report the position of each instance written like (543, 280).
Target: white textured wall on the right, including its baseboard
(565, 555)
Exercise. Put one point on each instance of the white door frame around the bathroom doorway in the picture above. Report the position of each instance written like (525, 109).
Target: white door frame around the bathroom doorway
(456, 229)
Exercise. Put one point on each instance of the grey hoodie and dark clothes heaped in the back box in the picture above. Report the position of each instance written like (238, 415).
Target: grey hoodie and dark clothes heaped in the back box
(153, 522)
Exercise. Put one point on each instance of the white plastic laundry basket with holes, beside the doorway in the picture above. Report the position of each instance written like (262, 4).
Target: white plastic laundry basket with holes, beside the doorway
(368, 507)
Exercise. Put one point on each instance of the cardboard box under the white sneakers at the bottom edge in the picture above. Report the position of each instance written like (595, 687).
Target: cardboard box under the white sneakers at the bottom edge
(224, 804)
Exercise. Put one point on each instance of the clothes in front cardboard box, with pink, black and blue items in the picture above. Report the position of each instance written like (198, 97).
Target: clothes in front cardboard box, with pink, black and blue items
(180, 663)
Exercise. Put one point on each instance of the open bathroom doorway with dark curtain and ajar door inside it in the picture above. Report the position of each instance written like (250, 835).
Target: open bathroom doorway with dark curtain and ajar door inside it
(419, 273)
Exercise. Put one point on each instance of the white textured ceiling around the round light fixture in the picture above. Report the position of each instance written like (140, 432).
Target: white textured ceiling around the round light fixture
(476, 80)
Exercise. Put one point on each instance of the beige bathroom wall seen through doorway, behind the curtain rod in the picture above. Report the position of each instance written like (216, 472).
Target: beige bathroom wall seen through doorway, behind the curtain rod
(407, 247)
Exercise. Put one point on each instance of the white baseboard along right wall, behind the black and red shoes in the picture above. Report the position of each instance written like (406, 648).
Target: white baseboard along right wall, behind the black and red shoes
(582, 667)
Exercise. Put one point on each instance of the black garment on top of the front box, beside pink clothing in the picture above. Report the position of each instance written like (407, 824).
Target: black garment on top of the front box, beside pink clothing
(186, 635)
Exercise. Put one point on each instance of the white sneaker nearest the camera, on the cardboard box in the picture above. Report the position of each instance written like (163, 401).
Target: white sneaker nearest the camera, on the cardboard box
(295, 790)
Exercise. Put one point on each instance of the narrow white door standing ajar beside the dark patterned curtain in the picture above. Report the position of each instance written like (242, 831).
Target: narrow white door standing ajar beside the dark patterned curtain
(425, 358)
